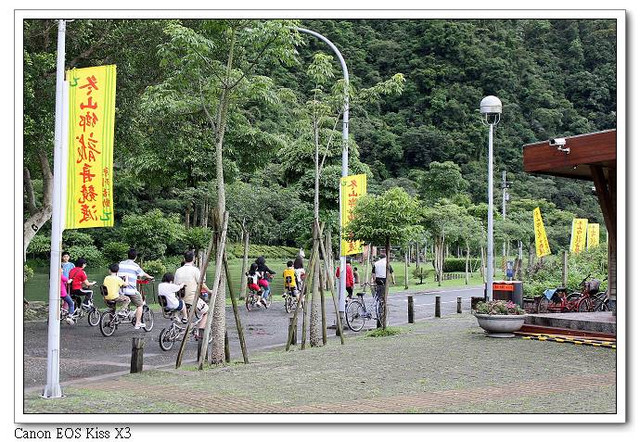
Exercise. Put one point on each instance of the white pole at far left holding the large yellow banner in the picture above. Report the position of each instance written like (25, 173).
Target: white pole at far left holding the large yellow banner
(53, 389)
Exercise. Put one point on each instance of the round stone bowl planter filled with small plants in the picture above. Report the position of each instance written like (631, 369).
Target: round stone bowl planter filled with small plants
(499, 318)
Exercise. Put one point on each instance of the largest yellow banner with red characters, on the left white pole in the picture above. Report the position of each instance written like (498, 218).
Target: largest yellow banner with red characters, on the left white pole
(92, 103)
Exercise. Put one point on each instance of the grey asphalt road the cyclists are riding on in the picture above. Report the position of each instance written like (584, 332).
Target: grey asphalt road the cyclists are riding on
(86, 354)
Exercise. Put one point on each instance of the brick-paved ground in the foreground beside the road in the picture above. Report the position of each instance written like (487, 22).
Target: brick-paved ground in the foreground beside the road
(438, 366)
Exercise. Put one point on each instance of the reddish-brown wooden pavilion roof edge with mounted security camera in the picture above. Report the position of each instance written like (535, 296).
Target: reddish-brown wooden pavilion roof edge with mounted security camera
(582, 152)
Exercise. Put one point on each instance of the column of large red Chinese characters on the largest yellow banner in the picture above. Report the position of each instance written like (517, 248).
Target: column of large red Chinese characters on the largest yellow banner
(87, 149)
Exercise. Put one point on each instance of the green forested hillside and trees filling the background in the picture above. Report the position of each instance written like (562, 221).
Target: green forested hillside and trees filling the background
(554, 77)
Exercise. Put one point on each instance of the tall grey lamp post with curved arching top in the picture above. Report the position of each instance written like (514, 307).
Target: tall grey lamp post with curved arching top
(345, 155)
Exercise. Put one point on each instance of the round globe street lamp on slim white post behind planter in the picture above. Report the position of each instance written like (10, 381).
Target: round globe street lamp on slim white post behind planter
(491, 109)
